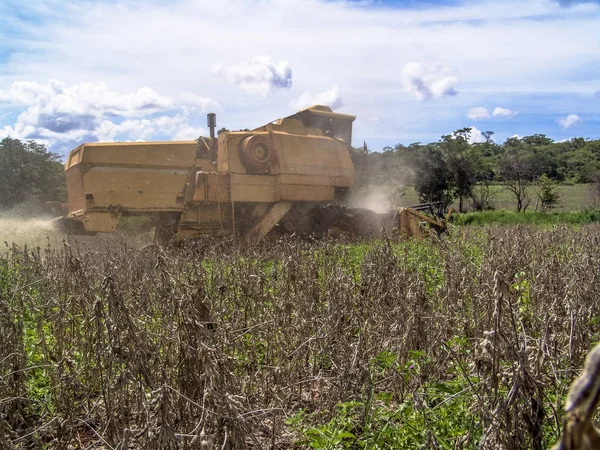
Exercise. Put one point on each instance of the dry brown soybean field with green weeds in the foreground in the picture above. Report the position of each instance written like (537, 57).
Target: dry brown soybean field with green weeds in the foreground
(225, 346)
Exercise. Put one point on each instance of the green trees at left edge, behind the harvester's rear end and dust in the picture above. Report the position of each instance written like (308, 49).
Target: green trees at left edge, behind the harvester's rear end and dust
(29, 172)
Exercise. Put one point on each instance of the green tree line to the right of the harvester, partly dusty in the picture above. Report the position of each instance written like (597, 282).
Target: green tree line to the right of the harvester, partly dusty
(456, 169)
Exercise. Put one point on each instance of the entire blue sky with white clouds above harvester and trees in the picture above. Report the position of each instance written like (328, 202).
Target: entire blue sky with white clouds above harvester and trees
(410, 70)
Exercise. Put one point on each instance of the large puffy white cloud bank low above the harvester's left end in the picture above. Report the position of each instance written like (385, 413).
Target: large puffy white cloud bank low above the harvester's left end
(55, 113)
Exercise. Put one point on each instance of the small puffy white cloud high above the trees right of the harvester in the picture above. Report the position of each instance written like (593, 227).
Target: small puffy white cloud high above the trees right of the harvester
(426, 81)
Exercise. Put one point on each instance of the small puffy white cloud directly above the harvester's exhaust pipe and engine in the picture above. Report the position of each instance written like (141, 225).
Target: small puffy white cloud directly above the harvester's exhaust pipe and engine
(261, 76)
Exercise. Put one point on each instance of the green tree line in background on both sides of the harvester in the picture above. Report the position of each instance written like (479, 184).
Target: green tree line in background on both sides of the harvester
(448, 170)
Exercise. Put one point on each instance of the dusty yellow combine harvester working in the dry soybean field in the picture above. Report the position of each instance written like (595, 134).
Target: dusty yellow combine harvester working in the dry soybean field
(293, 175)
